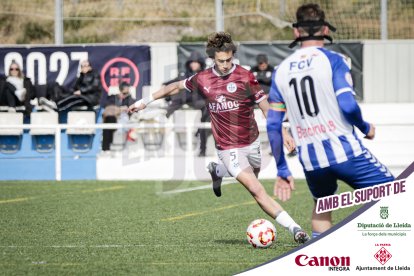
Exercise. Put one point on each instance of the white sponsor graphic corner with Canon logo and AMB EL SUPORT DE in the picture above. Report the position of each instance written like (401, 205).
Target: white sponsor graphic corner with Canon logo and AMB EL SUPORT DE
(374, 240)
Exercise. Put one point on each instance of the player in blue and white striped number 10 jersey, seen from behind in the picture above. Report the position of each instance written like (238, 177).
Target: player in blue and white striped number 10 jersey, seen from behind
(314, 86)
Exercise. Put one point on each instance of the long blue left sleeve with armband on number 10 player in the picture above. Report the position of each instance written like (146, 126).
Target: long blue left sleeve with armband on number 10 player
(274, 129)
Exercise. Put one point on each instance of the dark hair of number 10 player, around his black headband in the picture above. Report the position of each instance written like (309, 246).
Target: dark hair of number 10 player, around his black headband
(310, 12)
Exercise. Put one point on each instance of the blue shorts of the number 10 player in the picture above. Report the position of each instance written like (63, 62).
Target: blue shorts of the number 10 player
(359, 172)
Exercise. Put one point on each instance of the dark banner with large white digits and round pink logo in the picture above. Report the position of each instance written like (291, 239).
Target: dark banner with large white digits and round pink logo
(115, 64)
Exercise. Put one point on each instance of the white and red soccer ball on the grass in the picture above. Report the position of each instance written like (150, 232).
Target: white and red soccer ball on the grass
(261, 233)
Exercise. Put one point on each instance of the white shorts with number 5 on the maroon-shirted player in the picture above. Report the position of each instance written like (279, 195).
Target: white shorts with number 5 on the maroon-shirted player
(237, 159)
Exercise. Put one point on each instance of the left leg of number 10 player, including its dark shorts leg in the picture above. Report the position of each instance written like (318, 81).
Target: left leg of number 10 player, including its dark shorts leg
(321, 183)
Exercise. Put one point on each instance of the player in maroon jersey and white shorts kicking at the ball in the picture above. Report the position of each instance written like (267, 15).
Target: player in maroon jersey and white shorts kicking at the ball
(231, 92)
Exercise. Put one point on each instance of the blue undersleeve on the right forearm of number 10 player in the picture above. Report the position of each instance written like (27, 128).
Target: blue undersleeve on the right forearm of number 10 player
(352, 112)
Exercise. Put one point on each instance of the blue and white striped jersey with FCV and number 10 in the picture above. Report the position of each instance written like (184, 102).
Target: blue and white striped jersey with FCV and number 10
(308, 83)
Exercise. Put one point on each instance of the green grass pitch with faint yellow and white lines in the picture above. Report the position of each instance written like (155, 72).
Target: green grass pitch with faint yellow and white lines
(137, 228)
